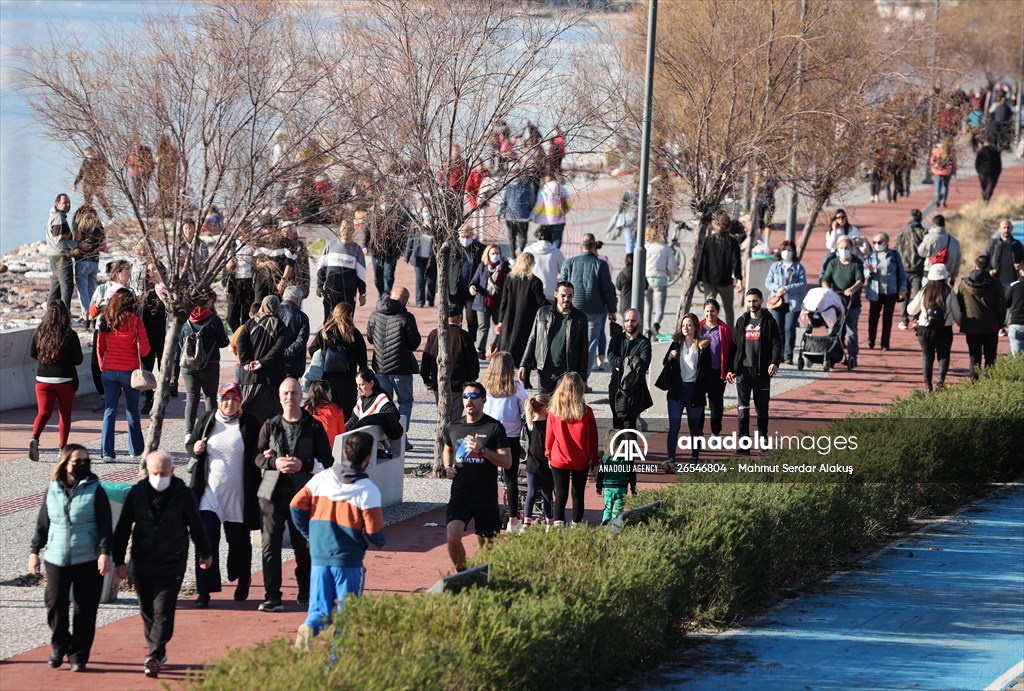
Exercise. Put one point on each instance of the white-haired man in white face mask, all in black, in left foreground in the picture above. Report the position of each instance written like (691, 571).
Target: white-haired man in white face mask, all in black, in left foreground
(160, 515)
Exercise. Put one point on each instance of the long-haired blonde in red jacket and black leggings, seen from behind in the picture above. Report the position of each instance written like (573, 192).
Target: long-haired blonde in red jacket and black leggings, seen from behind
(571, 446)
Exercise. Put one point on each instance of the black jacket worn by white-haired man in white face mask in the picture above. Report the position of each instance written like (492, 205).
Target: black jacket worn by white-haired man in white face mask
(159, 525)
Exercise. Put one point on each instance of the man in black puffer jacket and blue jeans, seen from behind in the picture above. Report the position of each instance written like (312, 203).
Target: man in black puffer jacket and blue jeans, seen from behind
(394, 334)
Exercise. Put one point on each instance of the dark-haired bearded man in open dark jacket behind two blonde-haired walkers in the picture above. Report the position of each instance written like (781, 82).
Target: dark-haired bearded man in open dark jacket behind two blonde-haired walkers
(559, 342)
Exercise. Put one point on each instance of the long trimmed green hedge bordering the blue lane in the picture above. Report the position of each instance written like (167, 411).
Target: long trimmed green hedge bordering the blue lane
(582, 609)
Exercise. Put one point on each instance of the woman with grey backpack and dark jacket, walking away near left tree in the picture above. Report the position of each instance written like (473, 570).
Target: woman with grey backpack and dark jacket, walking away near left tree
(202, 378)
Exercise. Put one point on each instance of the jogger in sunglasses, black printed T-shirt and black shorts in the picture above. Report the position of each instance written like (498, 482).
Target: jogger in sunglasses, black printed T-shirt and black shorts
(475, 450)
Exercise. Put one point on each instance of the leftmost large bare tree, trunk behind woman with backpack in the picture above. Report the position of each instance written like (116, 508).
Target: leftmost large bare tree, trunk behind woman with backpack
(214, 88)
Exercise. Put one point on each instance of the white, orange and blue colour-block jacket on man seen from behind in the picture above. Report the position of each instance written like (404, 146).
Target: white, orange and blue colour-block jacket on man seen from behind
(337, 520)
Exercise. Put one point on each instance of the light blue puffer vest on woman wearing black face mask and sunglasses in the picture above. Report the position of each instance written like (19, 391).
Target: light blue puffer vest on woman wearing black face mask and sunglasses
(74, 538)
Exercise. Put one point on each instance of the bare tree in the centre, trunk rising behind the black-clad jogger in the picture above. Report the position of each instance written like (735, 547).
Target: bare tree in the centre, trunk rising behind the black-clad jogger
(434, 79)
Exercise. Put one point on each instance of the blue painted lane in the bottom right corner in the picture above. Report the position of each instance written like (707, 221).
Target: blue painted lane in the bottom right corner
(943, 609)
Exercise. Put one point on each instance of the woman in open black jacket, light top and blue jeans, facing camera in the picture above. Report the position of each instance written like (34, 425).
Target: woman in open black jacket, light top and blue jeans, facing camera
(686, 380)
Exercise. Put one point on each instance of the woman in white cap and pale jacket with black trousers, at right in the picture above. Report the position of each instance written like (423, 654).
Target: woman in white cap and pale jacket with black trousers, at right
(937, 310)
